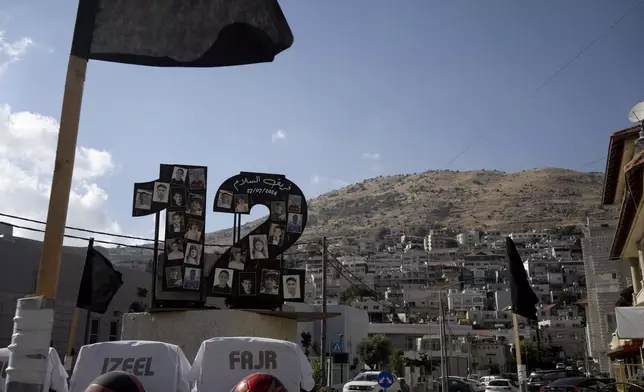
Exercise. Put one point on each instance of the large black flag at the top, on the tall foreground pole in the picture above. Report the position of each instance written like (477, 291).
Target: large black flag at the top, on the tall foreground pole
(181, 33)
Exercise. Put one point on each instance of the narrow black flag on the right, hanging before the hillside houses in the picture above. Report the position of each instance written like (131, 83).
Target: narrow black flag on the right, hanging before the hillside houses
(523, 298)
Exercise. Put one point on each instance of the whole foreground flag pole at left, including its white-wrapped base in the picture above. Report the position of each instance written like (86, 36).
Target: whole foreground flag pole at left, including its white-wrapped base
(39, 309)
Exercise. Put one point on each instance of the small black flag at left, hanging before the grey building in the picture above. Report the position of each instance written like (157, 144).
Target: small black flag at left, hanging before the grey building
(99, 283)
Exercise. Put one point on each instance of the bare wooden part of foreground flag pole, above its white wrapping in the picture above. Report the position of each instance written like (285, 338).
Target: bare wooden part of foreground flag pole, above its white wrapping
(49, 270)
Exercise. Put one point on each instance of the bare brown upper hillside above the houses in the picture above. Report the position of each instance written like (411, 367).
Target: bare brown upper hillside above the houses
(539, 198)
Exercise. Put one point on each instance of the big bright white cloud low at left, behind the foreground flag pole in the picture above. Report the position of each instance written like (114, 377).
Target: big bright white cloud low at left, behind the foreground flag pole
(27, 152)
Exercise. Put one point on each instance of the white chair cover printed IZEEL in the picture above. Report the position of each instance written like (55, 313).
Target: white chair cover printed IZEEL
(161, 367)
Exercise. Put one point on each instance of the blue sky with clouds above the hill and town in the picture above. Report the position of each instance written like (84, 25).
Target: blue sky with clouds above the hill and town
(368, 88)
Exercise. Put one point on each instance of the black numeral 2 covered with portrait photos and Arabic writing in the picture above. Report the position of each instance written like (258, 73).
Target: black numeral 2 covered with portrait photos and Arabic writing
(249, 274)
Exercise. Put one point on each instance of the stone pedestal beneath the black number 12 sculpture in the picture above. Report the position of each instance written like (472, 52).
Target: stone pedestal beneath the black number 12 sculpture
(187, 329)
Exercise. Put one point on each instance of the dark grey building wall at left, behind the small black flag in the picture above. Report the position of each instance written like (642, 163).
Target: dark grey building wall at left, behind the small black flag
(20, 258)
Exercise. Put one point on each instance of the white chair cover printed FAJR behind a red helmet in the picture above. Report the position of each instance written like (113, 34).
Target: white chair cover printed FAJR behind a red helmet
(222, 362)
